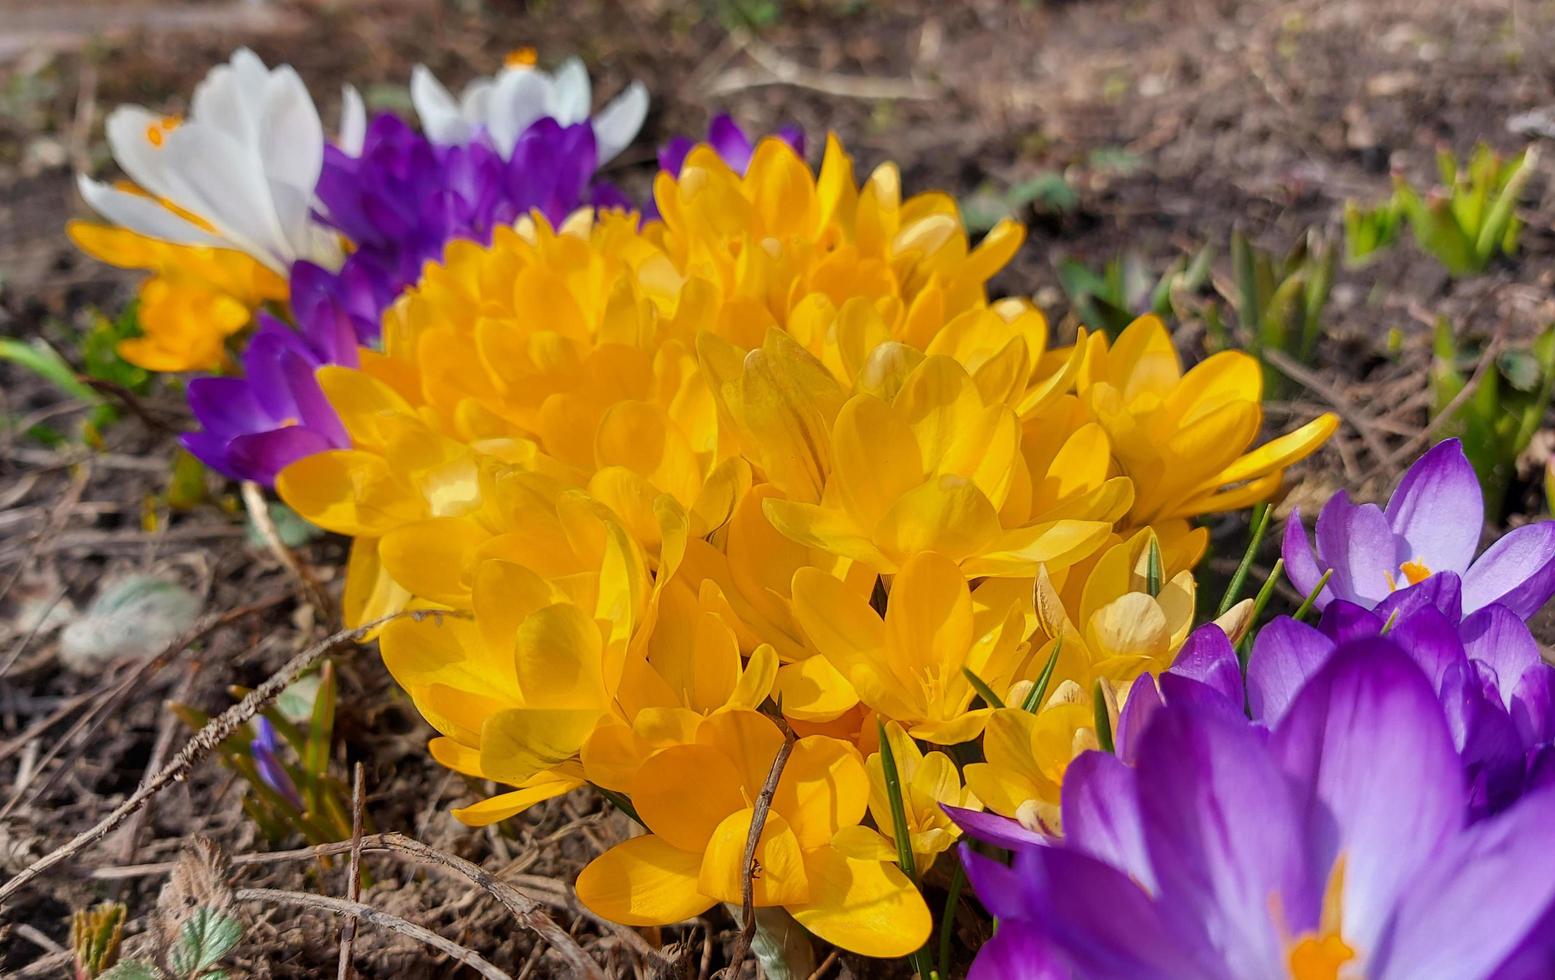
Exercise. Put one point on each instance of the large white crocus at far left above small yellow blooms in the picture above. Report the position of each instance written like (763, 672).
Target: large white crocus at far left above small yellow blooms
(245, 163)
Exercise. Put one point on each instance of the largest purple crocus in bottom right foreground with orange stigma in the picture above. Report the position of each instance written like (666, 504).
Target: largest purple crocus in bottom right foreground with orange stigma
(1333, 845)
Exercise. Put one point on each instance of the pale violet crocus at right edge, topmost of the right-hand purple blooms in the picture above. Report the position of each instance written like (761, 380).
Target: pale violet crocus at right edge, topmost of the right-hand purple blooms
(1431, 525)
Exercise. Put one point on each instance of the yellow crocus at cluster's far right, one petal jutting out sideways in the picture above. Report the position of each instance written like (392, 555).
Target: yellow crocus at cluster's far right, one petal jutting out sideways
(1186, 439)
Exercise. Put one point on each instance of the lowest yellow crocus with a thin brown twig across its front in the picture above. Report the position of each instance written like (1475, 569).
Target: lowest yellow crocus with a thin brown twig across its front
(697, 800)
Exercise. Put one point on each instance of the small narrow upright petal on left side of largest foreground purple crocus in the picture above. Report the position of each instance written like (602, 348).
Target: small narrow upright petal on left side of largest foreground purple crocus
(1102, 816)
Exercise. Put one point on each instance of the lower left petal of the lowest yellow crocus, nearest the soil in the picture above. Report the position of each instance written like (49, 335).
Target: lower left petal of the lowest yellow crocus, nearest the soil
(645, 883)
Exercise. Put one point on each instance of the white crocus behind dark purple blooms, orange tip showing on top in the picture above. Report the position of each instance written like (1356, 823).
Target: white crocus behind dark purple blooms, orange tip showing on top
(522, 94)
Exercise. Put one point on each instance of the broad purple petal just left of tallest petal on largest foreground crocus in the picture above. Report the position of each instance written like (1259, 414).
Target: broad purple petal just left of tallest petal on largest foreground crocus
(1220, 819)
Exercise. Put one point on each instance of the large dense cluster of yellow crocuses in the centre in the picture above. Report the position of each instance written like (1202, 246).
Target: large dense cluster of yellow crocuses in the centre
(774, 469)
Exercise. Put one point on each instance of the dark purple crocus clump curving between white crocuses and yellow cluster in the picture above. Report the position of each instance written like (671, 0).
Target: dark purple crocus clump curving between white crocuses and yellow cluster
(400, 200)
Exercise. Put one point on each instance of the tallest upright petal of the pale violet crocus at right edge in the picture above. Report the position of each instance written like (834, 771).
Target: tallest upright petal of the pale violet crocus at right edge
(1439, 509)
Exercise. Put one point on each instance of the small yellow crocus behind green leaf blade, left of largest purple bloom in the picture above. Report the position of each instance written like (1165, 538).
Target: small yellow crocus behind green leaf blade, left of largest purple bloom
(929, 782)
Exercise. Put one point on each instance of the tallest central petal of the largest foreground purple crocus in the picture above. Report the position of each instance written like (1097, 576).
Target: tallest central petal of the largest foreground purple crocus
(1383, 783)
